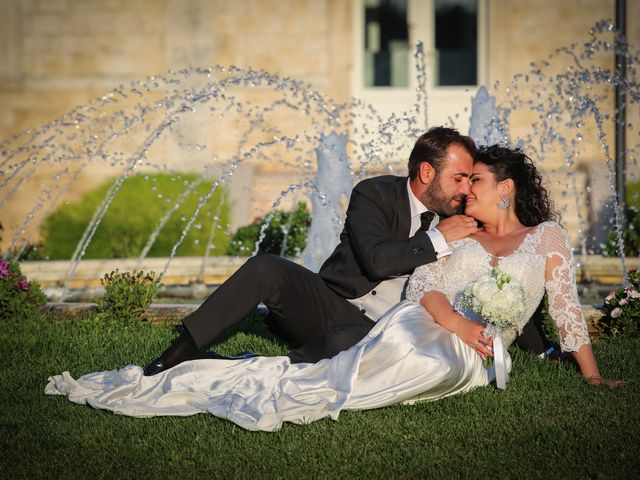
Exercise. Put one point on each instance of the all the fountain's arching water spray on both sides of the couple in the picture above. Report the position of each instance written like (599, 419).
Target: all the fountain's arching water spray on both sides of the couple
(222, 122)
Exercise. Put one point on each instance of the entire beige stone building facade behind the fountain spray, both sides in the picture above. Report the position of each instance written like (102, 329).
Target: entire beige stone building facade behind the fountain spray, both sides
(57, 54)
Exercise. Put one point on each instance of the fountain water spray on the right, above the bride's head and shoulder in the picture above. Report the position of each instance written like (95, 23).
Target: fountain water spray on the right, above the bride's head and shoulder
(566, 106)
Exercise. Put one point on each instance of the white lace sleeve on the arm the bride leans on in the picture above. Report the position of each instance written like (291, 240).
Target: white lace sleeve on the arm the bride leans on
(560, 284)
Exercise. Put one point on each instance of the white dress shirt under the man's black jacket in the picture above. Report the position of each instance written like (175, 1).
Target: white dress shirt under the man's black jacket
(389, 292)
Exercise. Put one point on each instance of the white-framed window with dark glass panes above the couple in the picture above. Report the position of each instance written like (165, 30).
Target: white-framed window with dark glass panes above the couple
(454, 35)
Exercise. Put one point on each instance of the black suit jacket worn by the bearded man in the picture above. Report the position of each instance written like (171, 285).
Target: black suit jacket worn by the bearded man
(375, 244)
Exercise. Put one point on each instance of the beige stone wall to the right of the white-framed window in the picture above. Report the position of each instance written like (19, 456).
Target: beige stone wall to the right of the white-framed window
(525, 31)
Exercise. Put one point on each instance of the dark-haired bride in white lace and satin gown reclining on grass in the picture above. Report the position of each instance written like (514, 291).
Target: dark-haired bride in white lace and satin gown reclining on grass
(424, 348)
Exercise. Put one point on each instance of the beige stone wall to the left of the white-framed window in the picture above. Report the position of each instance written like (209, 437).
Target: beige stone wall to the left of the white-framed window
(57, 54)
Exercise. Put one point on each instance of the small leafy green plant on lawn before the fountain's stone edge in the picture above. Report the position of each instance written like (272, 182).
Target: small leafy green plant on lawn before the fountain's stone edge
(127, 295)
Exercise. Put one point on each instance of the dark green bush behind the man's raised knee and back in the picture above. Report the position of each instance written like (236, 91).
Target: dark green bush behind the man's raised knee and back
(295, 224)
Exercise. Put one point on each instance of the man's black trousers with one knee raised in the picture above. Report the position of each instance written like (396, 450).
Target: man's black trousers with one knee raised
(303, 310)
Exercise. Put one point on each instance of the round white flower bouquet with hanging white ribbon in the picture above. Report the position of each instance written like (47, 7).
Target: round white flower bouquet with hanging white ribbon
(500, 301)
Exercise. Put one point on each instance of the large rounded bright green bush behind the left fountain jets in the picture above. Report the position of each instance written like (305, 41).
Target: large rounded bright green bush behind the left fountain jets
(134, 214)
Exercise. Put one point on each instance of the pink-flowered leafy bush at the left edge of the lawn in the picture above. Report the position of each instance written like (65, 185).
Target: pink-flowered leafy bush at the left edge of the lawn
(19, 298)
